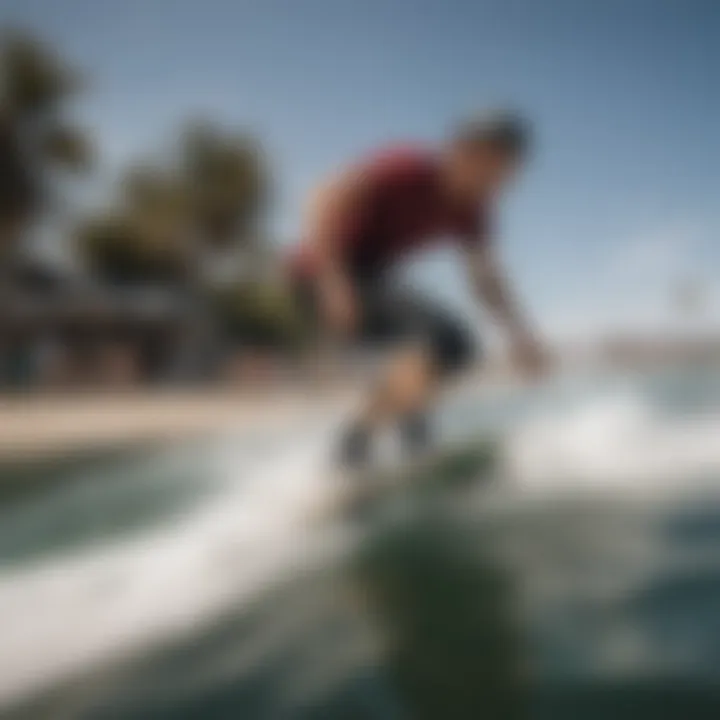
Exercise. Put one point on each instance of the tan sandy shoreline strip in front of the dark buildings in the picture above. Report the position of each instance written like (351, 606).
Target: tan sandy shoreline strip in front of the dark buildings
(41, 428)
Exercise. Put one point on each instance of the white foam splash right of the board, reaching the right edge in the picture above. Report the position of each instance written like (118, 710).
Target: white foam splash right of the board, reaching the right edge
(615, 441)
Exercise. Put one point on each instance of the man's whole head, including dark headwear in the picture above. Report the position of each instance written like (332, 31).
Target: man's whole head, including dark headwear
(486, 152)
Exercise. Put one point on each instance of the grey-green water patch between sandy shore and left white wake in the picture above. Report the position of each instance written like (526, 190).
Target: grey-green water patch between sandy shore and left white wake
(52, 507)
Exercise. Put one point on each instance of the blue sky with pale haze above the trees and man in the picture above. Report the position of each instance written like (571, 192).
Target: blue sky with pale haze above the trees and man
(618, 205)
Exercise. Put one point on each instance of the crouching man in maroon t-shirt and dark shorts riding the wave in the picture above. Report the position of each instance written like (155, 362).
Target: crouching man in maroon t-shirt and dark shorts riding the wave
(375, 213)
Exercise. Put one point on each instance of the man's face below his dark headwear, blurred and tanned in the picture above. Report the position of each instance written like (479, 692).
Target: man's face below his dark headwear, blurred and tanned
(482, 170)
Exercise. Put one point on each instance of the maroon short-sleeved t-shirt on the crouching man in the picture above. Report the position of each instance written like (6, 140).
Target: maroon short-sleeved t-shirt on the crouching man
(403, 209)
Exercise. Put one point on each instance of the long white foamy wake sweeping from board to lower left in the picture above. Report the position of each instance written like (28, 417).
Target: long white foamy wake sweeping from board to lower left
(62, 616)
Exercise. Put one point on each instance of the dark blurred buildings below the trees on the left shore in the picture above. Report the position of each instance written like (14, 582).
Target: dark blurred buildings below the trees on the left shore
(69, 331)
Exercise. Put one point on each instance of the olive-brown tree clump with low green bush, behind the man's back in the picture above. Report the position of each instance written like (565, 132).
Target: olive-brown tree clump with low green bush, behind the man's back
(177, 224)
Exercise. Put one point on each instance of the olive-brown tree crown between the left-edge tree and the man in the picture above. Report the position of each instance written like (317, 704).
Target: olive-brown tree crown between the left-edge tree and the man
(168, 221)
